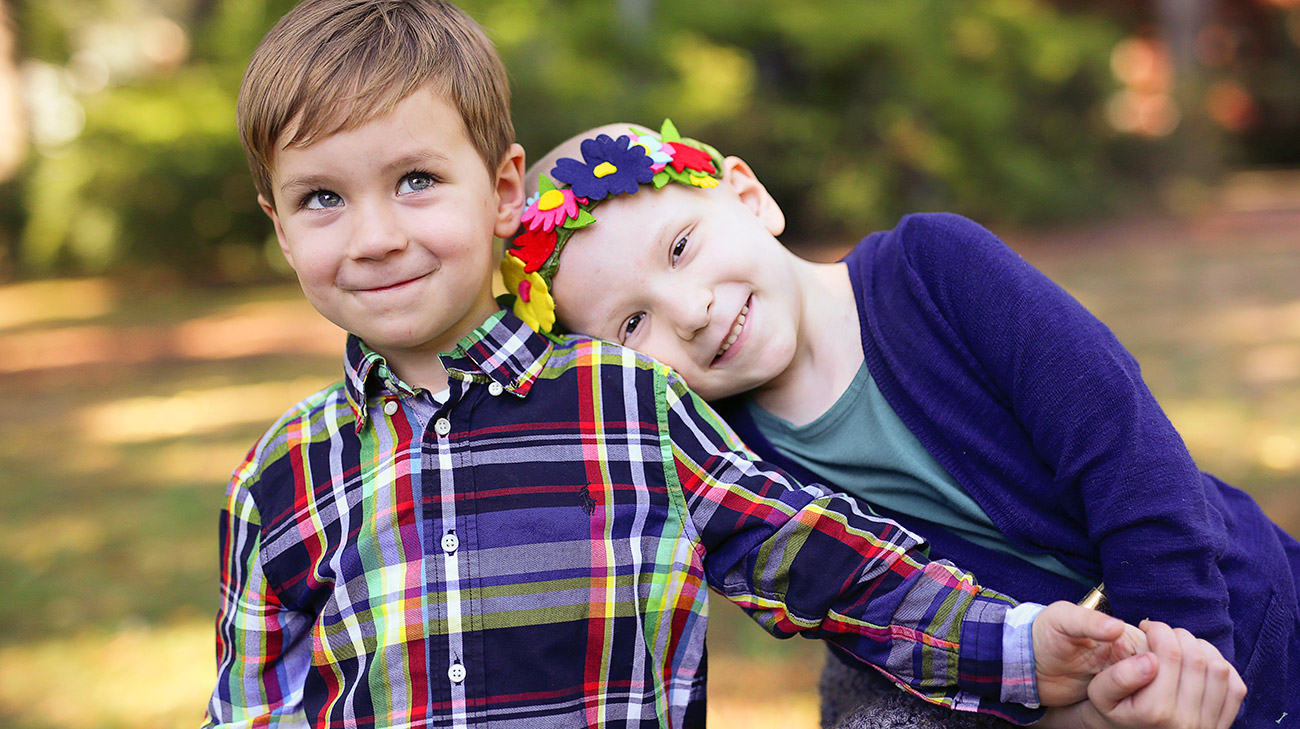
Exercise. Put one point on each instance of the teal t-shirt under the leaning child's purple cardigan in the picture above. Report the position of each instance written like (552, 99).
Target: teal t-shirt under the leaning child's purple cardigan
(864, 449)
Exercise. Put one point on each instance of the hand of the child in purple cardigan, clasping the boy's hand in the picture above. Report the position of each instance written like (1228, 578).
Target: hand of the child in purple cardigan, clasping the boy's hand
(1194, 688)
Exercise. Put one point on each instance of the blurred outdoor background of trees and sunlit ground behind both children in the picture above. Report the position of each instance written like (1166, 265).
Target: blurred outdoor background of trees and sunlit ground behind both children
(1143, 153)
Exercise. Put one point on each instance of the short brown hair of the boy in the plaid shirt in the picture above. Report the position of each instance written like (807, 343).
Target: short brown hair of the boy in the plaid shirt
(335, 66)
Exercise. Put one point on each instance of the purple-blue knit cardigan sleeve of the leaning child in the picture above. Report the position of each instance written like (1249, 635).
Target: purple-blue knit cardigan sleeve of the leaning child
(1119, 466)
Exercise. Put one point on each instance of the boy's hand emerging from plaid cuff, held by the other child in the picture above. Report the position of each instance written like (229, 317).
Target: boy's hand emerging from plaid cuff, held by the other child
(1074, 644)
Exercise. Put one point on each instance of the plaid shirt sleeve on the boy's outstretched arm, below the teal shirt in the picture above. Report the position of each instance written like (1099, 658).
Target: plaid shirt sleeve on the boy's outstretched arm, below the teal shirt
(805, 561)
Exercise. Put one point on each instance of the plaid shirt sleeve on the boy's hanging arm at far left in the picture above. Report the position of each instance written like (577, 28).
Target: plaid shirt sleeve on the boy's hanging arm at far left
(263, 654)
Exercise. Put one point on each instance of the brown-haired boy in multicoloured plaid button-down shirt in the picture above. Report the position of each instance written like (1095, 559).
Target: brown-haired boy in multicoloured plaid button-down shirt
(484, 526)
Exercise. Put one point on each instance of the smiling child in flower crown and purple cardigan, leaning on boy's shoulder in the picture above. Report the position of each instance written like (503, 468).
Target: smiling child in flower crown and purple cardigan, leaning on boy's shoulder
(933, 374)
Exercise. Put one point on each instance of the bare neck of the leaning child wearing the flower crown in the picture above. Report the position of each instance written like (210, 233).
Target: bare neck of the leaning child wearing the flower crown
(829, 353)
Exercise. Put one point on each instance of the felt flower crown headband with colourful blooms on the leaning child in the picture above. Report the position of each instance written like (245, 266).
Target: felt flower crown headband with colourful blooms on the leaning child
(609, 168)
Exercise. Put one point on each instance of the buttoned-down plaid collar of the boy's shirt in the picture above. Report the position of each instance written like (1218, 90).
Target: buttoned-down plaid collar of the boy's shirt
(502, 350)
